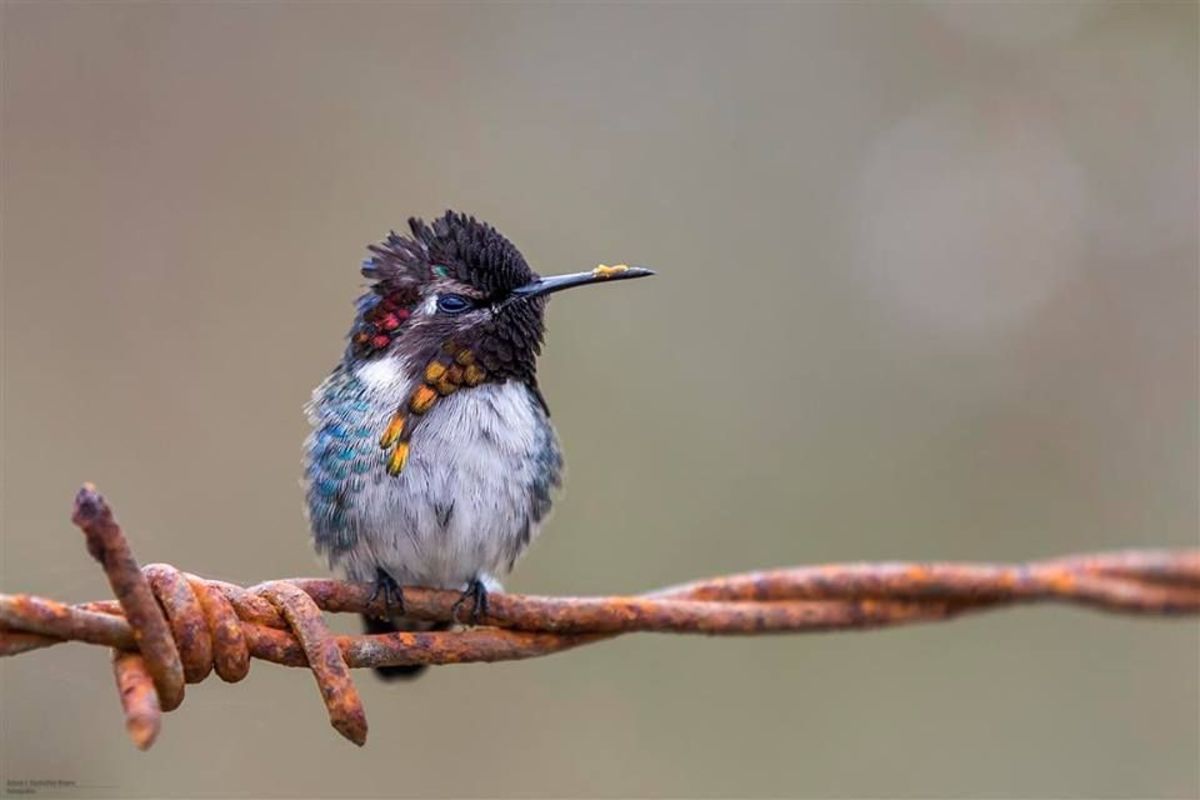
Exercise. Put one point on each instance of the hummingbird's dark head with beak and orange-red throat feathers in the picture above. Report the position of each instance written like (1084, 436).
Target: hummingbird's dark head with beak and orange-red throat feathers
(458, 302)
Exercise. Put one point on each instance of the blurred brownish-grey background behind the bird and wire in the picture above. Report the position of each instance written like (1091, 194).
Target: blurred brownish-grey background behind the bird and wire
(928, 291)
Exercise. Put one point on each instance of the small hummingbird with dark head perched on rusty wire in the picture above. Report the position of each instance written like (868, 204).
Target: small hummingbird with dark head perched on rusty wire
(433, 460)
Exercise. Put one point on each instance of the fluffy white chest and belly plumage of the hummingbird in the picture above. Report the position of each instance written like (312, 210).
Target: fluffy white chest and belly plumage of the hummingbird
(472, 496)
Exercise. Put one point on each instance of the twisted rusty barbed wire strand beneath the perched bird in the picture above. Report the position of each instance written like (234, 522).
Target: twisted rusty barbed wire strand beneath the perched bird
(169, 628)
